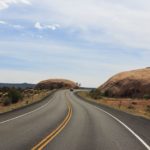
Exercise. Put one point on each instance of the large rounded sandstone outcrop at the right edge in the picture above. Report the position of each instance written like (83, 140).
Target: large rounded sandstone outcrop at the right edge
(134, 84)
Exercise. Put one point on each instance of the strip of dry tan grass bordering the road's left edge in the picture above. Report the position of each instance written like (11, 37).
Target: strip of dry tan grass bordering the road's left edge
(28, 100)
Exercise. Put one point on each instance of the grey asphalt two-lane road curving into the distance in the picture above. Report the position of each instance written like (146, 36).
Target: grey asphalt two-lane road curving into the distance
(65, 122)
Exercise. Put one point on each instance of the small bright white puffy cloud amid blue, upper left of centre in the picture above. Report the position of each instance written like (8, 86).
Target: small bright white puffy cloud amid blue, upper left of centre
(41, 27)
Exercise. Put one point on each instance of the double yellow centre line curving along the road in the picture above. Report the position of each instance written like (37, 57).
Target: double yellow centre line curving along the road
(41, 145)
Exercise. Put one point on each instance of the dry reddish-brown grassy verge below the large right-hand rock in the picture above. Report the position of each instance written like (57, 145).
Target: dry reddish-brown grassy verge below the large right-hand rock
(133, 106)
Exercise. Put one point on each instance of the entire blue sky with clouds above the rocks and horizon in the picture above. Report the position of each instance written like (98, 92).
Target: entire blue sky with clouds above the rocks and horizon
(87, 41)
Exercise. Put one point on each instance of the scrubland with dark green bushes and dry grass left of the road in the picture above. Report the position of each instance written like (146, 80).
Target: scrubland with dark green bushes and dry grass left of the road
(13, 98)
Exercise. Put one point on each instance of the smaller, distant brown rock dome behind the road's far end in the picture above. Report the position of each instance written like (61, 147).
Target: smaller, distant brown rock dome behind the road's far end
(56, 84)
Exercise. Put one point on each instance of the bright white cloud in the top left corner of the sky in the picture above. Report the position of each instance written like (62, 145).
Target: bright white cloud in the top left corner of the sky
(6, 3)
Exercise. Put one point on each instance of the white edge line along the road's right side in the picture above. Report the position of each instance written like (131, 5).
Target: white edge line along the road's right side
(129, 129)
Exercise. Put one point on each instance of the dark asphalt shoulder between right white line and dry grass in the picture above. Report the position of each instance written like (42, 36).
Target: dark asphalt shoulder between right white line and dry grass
(139, 125)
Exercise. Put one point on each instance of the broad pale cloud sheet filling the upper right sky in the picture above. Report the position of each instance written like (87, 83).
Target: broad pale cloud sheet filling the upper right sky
(124, 23)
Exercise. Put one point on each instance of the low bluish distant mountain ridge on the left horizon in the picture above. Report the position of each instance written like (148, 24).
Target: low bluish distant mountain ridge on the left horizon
(17, 85)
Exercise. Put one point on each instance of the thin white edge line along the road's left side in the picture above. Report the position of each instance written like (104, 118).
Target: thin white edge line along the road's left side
(27, 113)
